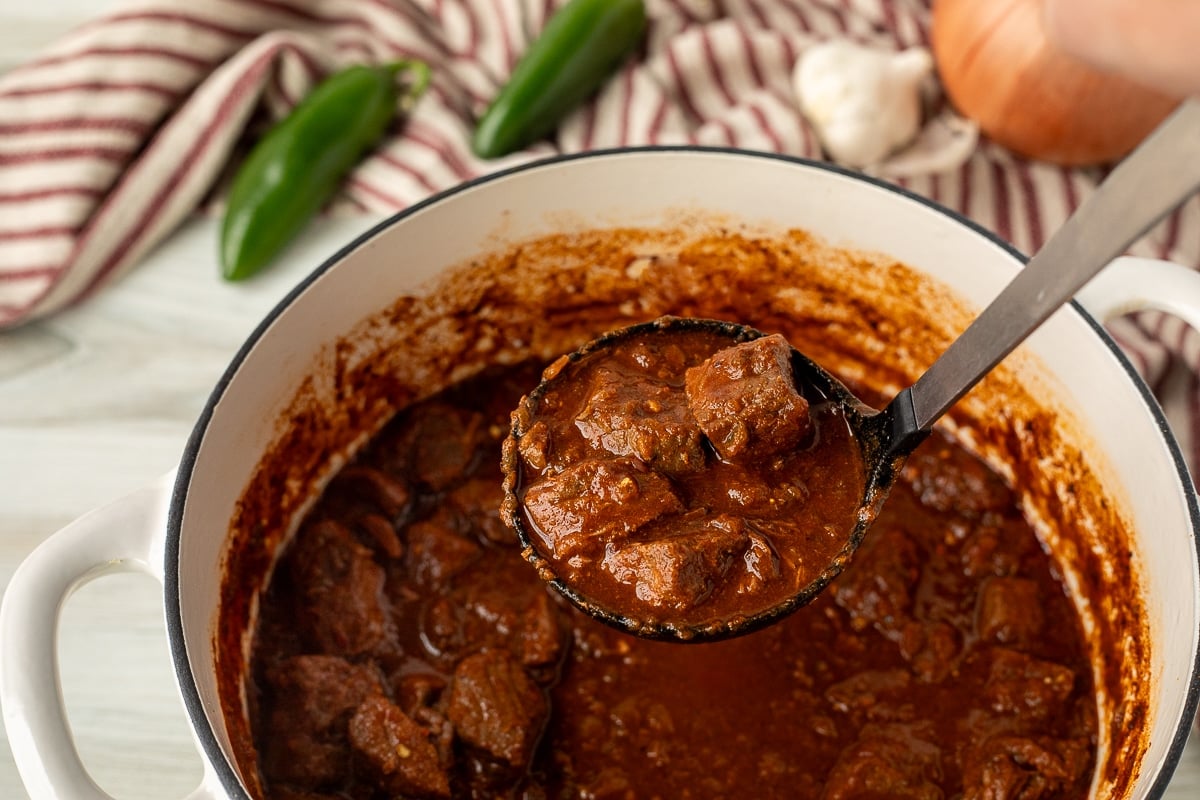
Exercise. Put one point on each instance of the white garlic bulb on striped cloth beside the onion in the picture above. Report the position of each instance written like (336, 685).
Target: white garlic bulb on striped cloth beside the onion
(863, 103)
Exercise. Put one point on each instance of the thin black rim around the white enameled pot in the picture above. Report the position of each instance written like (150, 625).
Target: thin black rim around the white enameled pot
(197, 713)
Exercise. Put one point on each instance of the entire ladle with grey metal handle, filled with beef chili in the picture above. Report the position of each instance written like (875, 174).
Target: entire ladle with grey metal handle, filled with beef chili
(695, 480)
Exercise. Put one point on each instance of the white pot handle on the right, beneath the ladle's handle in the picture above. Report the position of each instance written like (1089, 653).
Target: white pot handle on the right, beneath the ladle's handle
(1130, 285)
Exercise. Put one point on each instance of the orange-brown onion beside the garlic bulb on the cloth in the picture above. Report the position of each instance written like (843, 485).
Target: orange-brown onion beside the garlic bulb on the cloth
(1000, 70)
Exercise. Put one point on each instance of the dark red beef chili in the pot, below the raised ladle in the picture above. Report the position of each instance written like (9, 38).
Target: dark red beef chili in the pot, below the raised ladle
(406, 649)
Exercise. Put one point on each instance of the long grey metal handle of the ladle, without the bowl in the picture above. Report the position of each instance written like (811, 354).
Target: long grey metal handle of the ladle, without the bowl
(1162, 173)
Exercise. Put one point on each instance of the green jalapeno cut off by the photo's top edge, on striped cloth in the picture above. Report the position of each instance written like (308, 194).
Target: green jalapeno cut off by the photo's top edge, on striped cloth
(580, 47)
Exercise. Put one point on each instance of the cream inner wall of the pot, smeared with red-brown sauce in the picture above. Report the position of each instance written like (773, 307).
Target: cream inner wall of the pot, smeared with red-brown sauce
(535, 262)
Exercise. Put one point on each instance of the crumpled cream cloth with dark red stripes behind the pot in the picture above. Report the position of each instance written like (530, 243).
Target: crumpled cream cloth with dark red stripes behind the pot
(129, 124)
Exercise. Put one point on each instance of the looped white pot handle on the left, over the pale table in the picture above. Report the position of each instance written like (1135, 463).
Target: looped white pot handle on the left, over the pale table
(124, 537)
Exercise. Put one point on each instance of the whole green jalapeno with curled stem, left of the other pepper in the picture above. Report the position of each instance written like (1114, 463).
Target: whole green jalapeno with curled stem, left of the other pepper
(297, 167)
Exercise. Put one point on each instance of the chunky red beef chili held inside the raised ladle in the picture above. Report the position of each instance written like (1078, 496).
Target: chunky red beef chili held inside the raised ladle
(674, 477)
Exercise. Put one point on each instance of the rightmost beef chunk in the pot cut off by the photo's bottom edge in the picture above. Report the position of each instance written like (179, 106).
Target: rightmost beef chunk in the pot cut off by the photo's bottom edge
(1016, 768)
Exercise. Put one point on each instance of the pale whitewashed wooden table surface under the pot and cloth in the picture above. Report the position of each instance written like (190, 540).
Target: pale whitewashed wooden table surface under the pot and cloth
(98, 402)
